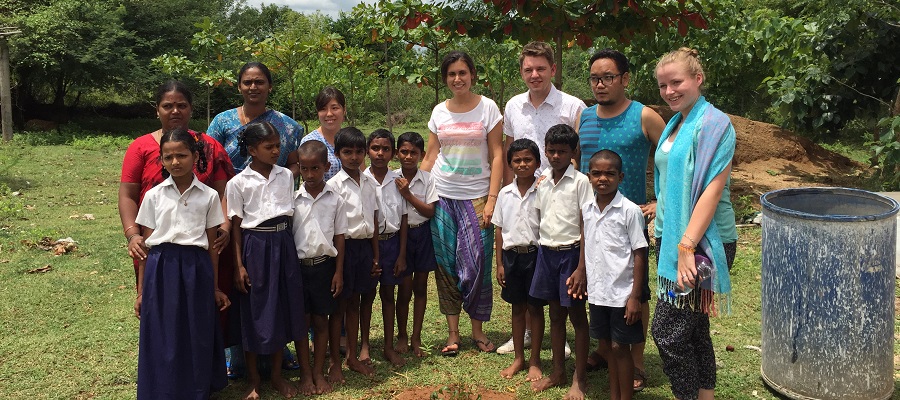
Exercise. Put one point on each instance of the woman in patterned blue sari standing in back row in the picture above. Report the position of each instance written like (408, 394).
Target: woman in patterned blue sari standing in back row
(255, 85)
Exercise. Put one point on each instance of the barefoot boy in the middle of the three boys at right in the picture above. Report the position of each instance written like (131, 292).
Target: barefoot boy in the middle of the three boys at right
(559, 276)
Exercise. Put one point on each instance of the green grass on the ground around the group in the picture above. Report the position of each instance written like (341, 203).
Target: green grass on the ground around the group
(70, 333)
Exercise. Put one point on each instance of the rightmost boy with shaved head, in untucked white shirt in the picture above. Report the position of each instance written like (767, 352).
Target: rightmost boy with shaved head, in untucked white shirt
(615, 261)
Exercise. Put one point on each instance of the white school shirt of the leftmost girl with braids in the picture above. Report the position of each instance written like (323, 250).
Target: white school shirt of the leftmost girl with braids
(180, 218)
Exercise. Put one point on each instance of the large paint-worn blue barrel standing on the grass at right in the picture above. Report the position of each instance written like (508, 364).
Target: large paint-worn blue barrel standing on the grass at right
(828, 264)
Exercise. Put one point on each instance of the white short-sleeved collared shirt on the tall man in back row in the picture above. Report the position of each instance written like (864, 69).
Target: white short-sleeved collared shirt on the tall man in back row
(521, 120)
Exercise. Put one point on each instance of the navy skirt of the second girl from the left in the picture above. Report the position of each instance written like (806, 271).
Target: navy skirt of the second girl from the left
(272, 312)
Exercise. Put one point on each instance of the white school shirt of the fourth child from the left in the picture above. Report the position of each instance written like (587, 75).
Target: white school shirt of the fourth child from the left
(360, 203)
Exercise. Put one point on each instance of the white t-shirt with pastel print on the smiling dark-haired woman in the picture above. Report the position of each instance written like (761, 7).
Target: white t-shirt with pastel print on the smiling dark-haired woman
(462, 170)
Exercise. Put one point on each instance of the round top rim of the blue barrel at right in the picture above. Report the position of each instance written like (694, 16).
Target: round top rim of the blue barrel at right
(767, 202)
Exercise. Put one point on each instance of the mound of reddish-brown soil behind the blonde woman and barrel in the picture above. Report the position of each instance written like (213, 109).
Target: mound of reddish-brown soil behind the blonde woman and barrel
(768, 157)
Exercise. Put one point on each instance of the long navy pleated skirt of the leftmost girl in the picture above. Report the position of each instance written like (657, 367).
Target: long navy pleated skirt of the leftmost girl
(180, 348)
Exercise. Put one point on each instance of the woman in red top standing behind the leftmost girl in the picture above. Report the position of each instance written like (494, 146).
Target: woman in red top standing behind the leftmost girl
(142, 170)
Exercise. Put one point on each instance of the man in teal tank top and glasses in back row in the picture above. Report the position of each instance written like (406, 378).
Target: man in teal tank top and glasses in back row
(629, 128)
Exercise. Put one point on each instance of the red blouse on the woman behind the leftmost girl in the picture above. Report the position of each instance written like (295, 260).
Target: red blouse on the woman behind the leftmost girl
(141, 164)
